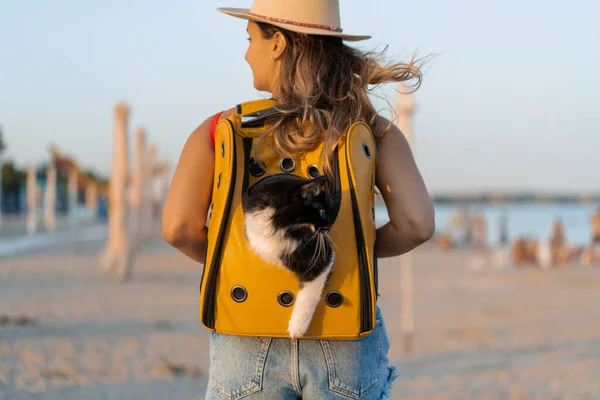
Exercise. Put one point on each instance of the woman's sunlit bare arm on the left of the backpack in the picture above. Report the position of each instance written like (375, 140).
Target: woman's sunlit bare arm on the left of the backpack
(186, 207)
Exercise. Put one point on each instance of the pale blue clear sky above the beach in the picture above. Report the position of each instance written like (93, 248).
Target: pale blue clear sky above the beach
(511, 102)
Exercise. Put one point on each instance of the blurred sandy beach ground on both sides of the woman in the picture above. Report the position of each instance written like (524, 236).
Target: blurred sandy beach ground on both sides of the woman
(487, 334)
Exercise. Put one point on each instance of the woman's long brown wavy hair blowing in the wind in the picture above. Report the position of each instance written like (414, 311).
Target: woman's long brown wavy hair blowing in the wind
(330, 82)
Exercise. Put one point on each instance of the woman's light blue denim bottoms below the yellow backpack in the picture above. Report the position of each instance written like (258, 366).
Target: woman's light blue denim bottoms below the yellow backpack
(277, 368)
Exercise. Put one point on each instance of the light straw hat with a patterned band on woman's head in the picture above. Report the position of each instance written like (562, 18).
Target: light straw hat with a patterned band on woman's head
(312, 17)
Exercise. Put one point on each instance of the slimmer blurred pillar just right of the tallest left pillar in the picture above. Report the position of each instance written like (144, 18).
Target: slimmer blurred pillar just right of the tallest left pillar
(137, 189)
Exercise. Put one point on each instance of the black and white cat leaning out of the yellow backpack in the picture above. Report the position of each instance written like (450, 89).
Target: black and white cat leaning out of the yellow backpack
(287, 219)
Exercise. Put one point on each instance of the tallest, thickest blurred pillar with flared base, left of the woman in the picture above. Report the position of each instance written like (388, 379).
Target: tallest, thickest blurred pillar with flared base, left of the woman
(117, 258)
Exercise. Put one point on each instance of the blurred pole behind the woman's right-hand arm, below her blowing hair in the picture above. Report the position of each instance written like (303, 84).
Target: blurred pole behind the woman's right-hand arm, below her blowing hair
(405, 107)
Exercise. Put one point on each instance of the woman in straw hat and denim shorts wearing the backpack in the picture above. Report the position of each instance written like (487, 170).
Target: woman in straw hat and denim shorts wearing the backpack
(297, 53)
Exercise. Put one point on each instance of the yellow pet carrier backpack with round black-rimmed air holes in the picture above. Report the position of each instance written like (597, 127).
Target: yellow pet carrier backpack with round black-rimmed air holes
(240, 294)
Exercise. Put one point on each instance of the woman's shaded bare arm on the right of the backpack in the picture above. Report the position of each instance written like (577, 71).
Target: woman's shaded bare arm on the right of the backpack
(404, 193)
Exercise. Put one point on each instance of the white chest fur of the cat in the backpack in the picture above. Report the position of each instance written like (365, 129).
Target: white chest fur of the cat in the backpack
(269, 243)
